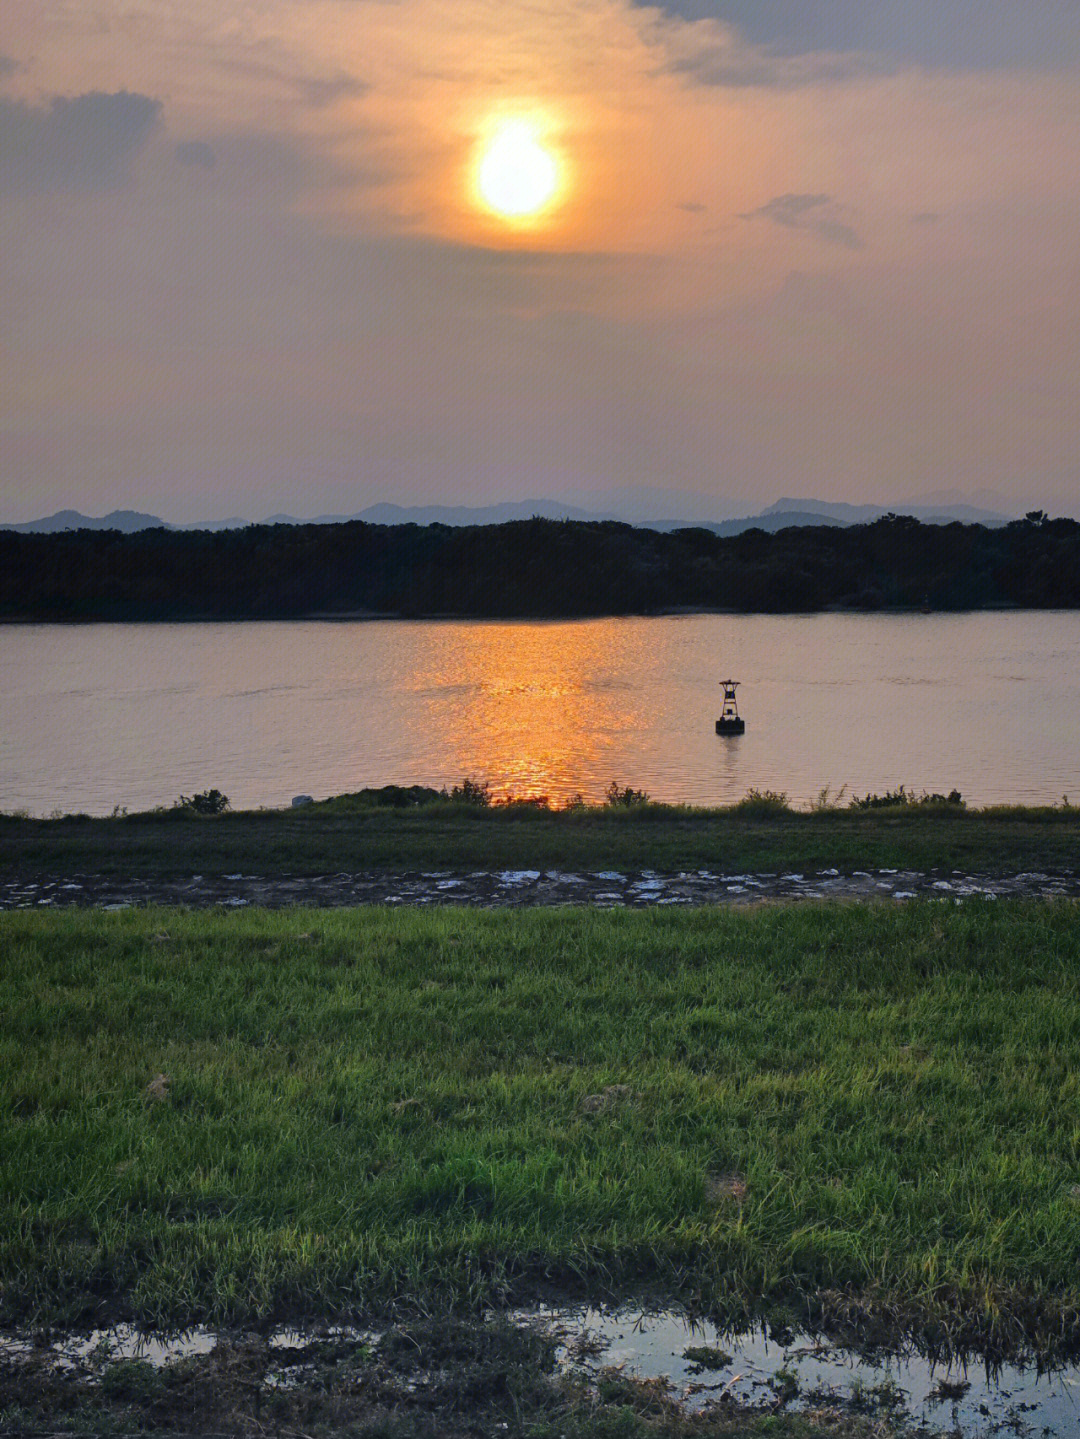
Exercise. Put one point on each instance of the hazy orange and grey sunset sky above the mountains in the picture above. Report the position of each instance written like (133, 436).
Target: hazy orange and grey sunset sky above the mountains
(795, 248)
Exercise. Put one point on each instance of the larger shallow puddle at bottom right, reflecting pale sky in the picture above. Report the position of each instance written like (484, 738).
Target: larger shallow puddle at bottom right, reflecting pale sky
(708, 1366)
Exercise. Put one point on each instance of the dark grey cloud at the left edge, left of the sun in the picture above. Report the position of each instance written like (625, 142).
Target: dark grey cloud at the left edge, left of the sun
(73, 146)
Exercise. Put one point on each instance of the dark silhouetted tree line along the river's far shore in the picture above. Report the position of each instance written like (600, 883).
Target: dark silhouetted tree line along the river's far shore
(536, 568)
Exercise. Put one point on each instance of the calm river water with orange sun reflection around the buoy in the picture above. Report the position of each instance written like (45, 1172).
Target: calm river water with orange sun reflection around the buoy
(100, 716)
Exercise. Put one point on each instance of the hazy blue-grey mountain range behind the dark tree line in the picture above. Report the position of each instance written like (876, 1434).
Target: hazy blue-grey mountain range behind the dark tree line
(780, 516)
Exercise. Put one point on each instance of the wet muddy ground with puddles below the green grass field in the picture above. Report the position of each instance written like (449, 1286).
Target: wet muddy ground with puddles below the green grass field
(541, 1371)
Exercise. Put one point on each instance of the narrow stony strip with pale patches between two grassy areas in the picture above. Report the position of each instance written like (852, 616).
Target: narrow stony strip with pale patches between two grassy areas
(513, 889)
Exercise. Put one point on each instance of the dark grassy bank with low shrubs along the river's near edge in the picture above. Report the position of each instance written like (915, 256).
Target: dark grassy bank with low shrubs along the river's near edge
(347, 835)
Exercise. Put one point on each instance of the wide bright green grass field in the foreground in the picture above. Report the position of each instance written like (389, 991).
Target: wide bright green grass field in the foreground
(849, 1112)
